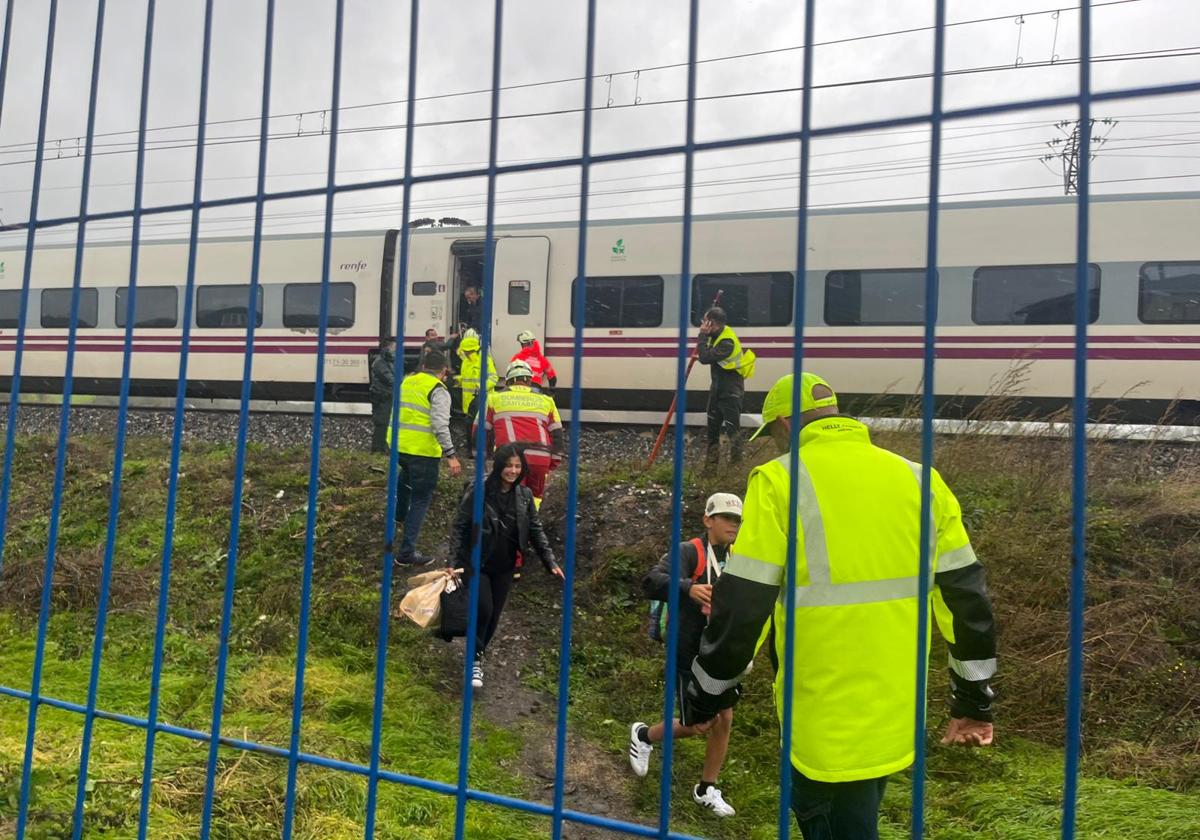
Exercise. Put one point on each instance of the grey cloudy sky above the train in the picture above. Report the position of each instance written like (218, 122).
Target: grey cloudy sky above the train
(1155, 140)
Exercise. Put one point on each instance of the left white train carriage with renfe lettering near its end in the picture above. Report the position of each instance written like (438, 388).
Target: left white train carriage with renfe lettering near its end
(285, 314)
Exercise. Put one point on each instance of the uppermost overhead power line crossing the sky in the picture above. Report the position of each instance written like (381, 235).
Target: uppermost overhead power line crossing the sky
(581, 79)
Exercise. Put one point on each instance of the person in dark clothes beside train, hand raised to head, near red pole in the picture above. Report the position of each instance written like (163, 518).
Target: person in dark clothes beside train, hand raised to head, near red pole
(731, 367)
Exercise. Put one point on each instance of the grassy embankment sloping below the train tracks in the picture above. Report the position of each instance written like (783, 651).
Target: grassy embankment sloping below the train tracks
(1142, 728)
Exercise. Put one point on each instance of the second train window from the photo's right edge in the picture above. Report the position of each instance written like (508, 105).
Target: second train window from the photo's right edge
(1031, 295)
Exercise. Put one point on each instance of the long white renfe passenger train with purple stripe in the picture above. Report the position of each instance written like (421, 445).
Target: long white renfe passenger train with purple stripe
(1006, 303)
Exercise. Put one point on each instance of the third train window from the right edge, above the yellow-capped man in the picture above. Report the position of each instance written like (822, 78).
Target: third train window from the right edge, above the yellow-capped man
(875, 298)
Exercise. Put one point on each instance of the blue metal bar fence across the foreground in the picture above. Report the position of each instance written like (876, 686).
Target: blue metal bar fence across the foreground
(293, 754)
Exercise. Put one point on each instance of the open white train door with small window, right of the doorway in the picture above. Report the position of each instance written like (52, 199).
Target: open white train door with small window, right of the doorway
(520, 290)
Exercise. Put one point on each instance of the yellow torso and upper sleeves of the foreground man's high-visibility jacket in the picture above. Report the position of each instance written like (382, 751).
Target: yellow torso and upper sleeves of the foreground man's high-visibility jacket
(854, 698)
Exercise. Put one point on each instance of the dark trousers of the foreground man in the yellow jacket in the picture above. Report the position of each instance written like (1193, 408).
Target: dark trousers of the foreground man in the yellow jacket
(844, 811)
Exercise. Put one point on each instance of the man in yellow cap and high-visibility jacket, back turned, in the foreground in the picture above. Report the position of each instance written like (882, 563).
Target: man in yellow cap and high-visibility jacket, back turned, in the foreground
(857, 565)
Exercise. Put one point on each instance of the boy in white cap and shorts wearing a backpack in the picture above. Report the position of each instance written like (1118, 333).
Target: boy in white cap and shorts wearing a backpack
(701, 561)
